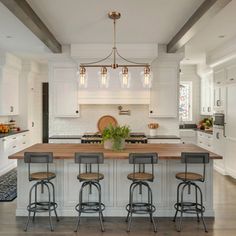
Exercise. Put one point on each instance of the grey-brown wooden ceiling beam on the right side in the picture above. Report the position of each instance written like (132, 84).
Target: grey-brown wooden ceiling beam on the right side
(197, 21)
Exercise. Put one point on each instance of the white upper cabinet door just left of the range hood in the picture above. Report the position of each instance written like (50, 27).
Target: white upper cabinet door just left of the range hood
(65, 92)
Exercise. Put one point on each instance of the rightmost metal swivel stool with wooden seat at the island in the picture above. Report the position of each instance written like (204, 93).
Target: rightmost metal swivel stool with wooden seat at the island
(188, 180)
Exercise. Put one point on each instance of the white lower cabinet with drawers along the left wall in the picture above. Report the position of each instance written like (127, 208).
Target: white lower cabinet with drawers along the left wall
(10, 145)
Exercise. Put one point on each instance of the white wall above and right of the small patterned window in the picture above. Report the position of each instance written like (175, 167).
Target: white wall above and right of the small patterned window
(189, 73)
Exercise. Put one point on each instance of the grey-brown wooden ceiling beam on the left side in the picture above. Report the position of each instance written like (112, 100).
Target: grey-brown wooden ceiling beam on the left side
(22, 10)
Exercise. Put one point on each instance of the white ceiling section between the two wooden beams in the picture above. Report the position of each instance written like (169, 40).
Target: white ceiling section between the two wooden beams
(142, 21)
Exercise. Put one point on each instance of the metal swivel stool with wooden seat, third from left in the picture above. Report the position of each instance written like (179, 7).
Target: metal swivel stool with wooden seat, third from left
(140, 179)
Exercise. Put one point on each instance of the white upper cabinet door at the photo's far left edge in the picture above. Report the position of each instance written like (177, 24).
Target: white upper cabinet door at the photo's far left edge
(9, 92)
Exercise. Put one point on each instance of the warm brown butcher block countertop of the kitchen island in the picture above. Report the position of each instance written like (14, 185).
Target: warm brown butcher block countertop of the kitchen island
(66, 151)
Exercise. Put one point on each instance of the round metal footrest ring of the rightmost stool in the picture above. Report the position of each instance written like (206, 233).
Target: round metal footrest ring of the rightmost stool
(190, 207)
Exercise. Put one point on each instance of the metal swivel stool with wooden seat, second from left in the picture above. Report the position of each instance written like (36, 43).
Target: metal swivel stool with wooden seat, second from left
(90, 178)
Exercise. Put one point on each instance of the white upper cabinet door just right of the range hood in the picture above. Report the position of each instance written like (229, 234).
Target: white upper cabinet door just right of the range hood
(163, 95)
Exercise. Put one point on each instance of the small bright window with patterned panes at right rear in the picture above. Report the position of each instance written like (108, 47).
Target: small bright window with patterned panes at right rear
(185, 101)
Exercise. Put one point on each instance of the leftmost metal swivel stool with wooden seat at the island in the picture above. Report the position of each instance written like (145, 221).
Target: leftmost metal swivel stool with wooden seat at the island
(43, 180)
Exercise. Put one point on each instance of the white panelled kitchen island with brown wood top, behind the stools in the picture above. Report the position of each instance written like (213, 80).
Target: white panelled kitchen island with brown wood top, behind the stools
(115, 185)
